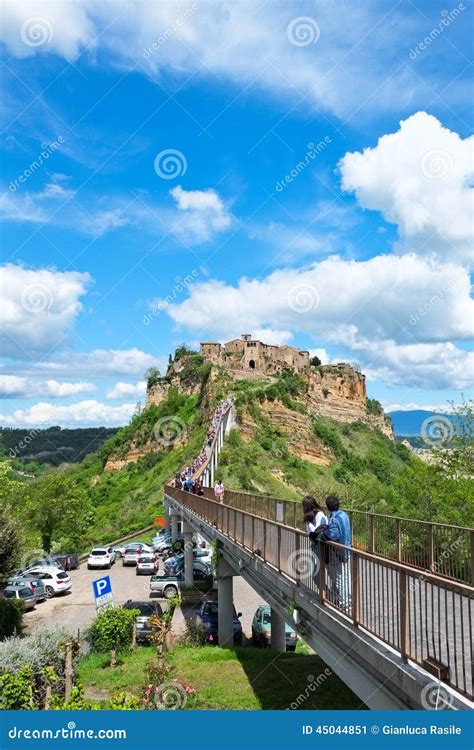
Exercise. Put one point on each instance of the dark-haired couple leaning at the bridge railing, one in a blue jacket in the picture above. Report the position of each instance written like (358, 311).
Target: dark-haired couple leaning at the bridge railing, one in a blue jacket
(335, 528)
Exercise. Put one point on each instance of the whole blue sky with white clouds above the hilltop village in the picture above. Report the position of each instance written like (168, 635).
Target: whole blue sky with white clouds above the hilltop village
(178, 172)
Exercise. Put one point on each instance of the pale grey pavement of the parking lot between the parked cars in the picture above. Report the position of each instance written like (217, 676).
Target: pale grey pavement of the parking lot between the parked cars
(75, 610)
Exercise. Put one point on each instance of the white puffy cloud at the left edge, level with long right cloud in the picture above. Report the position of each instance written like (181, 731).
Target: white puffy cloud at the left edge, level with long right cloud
(39, 308)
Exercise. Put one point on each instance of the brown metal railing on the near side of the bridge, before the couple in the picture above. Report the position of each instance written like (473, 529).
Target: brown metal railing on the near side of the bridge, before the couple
(426, 618)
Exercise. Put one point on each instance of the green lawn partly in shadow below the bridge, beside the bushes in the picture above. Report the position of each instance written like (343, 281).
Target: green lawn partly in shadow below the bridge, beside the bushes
(239, 678)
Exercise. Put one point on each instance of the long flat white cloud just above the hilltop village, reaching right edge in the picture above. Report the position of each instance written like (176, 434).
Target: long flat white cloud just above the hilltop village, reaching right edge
(340, 301)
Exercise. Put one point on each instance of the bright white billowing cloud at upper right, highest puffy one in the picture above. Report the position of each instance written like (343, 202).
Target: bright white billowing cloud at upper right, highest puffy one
(420, 178)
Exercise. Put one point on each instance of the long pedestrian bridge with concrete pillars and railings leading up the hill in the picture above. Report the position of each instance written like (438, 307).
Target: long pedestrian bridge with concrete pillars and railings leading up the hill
(401, 637)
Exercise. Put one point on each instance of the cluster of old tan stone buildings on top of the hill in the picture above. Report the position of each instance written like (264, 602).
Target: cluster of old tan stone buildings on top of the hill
(247, 354)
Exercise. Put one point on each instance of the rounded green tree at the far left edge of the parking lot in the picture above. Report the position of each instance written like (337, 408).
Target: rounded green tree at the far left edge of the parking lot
(59, 510)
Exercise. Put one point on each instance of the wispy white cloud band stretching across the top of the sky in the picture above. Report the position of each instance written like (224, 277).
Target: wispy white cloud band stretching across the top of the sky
(340, 70)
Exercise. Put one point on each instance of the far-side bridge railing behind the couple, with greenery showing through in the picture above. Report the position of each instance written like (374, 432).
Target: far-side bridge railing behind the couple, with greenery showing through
(447, 551)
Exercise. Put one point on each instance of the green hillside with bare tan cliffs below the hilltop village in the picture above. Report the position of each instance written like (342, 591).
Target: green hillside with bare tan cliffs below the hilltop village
(279, 448)
